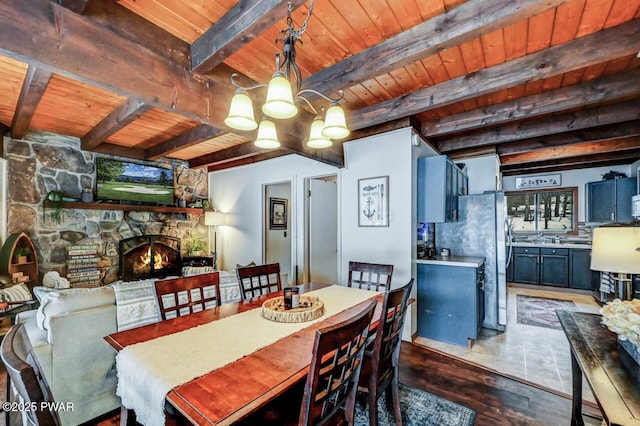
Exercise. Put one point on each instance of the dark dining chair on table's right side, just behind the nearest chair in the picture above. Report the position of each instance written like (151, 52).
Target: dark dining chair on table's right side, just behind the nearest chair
(381, 359)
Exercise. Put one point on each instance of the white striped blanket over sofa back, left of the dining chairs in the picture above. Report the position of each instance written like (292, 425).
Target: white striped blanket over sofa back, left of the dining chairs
(136, 304)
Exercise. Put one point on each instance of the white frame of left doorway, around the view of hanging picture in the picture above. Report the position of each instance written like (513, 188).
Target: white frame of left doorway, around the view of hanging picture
(292, 226)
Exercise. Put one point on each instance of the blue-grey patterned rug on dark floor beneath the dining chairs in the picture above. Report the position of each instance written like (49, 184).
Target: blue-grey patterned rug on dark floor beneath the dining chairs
(419, 408)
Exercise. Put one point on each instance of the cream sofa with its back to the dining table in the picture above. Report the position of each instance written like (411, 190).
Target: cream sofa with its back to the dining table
(67, 332)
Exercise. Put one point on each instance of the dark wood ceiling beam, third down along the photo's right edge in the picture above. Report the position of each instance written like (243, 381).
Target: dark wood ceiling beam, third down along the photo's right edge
(560, 123)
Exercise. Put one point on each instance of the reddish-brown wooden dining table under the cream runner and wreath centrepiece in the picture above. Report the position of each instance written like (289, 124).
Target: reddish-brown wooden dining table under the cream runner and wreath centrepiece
(235, 389)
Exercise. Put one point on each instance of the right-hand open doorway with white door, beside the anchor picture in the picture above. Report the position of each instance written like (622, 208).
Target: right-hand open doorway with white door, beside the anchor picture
(321, 259)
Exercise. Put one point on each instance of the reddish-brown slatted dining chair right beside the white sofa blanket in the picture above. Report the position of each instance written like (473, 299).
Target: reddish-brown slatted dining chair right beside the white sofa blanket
(183, 296)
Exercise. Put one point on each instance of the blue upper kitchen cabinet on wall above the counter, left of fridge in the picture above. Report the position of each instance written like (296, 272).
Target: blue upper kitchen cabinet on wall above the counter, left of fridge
(440, 182)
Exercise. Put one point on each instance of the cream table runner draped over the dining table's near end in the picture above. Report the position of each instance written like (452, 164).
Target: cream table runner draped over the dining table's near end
(147, 371)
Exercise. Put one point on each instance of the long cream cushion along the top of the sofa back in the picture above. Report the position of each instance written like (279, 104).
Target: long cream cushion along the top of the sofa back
(71, 300)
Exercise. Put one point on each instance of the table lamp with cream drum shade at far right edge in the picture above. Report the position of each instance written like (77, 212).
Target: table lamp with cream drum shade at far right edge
(616, 249)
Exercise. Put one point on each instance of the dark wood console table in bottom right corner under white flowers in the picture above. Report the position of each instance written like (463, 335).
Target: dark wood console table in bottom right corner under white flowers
(611, 374)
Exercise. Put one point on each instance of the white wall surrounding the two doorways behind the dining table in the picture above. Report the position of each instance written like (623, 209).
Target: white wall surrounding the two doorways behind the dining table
(238, 192)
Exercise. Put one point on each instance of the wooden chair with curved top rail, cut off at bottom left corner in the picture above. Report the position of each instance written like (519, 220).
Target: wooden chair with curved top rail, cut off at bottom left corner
(25, 376)
